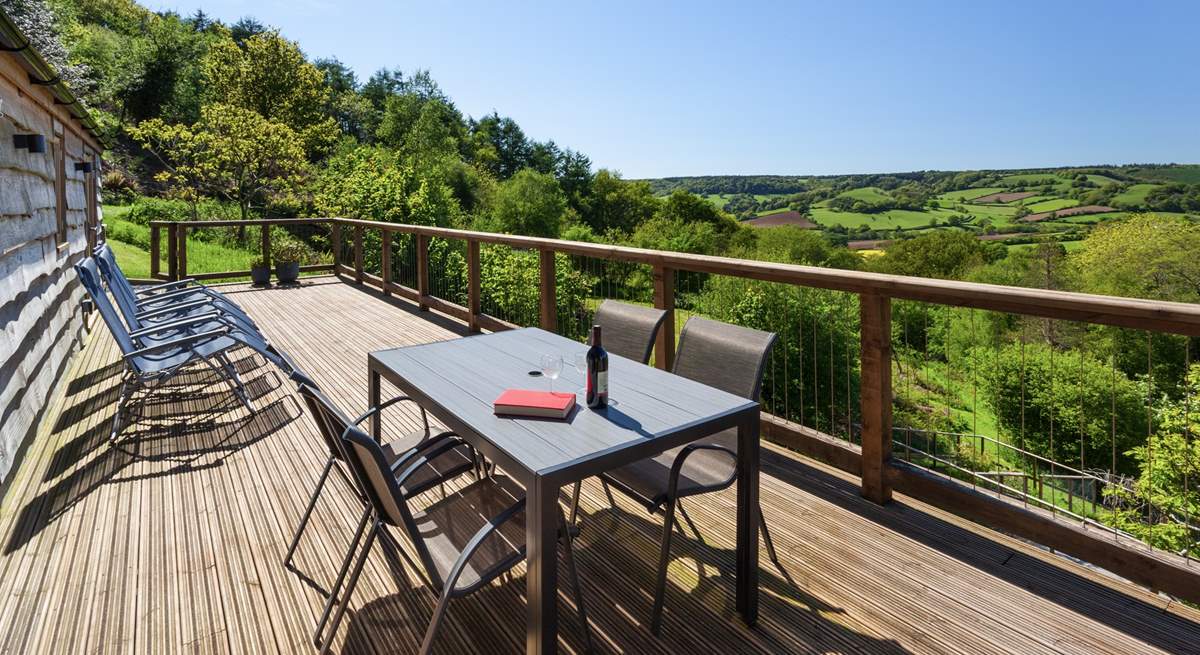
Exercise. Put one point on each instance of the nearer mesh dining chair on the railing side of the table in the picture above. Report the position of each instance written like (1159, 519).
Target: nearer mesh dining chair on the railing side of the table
(725, 357)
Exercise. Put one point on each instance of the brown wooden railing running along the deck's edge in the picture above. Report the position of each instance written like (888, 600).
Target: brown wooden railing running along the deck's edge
(873, 460)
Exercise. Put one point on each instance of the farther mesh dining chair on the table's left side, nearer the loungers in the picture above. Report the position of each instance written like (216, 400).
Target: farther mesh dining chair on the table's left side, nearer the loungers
(445, 458)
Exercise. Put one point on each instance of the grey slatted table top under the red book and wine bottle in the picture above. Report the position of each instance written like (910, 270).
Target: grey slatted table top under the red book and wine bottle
(655, 410)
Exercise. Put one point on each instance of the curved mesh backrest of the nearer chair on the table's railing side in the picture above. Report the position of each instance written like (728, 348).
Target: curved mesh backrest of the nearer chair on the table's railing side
(727, 357)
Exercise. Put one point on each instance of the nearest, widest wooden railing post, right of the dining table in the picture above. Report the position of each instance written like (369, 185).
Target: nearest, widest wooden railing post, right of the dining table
(877, 395)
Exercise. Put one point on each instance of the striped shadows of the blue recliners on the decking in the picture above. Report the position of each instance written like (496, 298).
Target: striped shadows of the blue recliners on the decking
(189, 425)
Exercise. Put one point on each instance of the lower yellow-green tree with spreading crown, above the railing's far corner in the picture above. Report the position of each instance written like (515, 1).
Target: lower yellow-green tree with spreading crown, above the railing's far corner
(231, 153)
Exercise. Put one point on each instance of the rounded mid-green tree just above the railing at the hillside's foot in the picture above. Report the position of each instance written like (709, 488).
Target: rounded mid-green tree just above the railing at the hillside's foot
(532, 205)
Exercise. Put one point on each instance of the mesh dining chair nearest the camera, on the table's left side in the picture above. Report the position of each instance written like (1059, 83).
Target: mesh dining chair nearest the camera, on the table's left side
(464, 542)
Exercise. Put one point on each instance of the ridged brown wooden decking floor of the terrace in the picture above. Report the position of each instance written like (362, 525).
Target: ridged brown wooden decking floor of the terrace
(172, 540)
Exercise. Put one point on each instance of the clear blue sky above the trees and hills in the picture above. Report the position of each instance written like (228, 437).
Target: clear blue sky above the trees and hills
(793, 88)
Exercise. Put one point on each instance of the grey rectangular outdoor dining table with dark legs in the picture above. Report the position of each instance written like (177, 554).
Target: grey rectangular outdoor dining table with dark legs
(651, 411)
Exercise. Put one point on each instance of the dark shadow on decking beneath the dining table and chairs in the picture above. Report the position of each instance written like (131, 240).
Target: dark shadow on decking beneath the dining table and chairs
(793, 621)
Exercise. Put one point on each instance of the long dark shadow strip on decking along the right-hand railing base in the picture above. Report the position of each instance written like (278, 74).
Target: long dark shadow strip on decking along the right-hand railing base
(1130, 615)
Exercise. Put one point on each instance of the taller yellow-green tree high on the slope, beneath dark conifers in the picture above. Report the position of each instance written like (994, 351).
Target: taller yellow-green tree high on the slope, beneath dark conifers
(269, 75)
